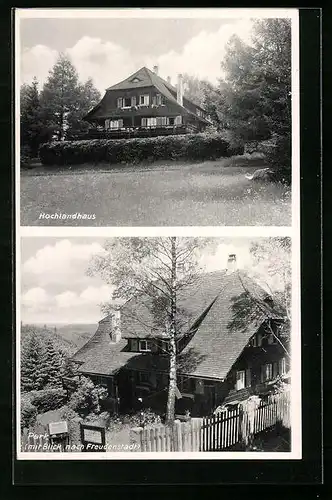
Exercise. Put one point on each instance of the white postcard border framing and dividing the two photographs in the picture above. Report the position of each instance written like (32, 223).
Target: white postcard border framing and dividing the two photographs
(240, 231)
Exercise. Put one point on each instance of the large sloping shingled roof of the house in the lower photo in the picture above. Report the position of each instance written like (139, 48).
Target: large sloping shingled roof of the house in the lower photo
(213, 346)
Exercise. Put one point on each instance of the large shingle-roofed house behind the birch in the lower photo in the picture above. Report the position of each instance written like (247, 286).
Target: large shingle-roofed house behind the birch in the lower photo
(223, 358)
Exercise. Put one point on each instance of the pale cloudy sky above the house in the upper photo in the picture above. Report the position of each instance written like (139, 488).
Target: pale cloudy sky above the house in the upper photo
(109, 50)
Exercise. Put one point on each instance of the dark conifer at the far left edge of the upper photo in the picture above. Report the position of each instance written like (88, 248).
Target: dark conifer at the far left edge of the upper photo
(32, 130)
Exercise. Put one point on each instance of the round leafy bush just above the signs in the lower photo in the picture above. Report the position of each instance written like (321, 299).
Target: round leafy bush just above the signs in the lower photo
(86, 398)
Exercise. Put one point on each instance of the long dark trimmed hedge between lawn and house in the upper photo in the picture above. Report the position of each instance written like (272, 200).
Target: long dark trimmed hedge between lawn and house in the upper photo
(185, 147)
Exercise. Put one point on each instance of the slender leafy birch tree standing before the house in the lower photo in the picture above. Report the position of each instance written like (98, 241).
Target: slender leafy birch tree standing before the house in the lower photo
(154, 270)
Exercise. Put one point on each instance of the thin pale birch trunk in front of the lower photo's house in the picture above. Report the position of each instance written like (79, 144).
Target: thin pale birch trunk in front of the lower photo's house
(170, 412)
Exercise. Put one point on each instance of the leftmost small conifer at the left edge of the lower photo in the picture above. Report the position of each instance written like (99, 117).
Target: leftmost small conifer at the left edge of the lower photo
(32, 373)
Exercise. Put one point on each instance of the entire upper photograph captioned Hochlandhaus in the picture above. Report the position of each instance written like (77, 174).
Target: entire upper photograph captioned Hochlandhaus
(155, 118)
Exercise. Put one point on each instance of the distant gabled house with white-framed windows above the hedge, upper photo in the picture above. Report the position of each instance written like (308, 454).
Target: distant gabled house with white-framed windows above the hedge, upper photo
(144, 104)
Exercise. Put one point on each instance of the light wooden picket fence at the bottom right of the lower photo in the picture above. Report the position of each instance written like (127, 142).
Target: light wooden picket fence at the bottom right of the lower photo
(216, 433)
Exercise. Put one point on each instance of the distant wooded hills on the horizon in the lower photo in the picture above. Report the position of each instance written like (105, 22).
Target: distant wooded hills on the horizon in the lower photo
(68, 337)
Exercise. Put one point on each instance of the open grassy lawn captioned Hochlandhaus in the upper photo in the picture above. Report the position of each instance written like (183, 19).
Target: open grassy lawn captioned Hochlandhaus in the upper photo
(200, 194)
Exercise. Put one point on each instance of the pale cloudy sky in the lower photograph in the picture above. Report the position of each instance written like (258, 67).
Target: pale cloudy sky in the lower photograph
(56, 289)
